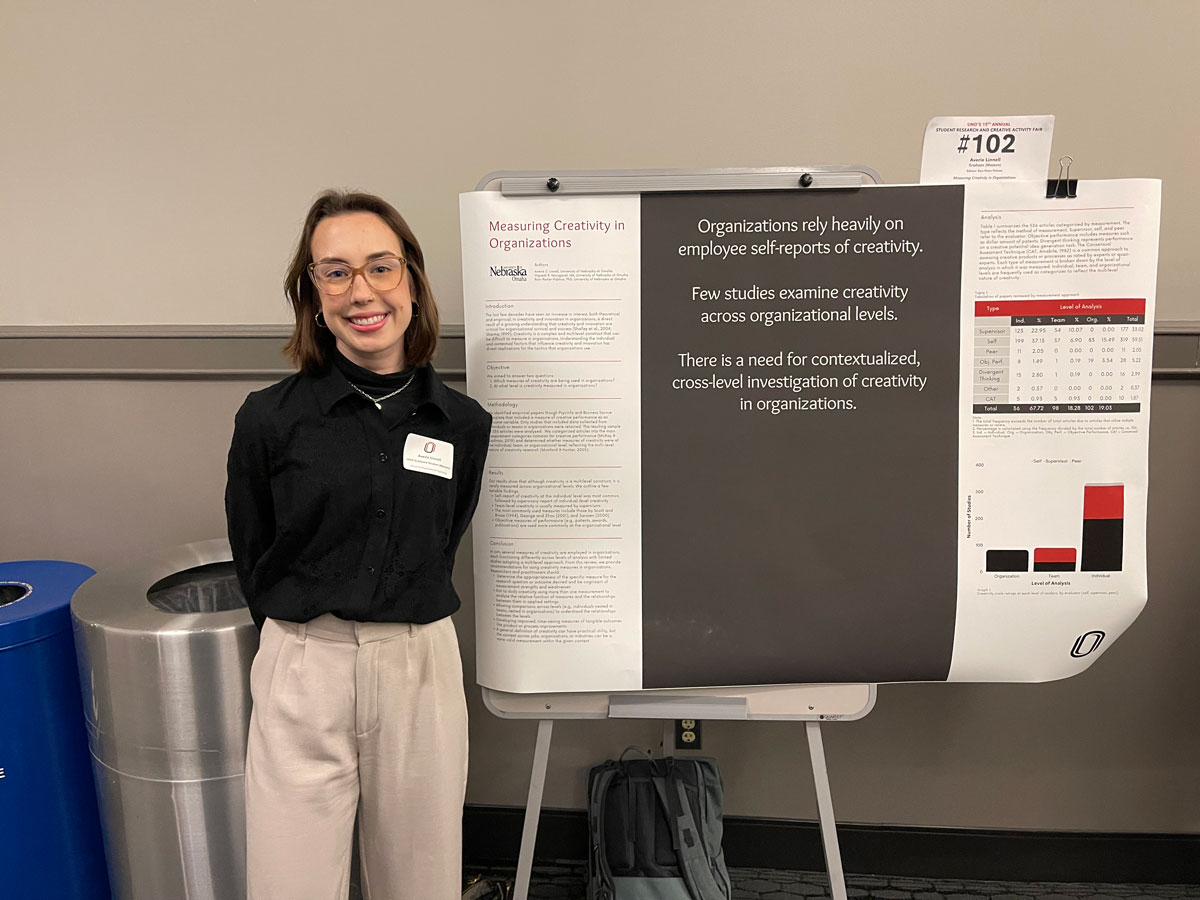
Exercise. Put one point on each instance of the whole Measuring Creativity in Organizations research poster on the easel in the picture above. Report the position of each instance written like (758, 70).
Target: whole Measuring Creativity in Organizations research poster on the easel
(787, 437)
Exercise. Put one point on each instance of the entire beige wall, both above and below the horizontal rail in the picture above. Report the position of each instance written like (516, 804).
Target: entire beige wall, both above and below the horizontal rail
(158, 159)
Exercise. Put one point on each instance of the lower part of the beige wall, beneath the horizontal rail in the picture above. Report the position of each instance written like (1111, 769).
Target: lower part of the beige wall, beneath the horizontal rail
(98, 472)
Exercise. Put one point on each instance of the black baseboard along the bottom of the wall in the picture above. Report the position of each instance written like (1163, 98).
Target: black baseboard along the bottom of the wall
(493, 837)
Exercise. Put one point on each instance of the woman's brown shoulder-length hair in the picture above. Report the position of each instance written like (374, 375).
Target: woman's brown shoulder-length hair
(310, 345)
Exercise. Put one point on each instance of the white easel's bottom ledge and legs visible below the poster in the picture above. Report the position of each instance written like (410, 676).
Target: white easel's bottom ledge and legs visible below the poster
(811, 704)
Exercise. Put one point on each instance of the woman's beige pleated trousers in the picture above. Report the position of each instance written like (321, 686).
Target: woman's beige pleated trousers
(367, 718)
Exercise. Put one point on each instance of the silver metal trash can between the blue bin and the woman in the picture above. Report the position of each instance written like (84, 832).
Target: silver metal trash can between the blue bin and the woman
(165, 649)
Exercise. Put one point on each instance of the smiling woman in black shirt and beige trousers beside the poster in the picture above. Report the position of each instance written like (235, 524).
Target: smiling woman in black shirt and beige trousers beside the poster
(351, 485)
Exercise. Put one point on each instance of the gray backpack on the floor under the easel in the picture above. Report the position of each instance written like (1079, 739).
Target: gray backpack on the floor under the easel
(656, 831)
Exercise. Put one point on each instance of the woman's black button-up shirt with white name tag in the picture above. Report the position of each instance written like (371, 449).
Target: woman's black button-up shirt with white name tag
(326, 511)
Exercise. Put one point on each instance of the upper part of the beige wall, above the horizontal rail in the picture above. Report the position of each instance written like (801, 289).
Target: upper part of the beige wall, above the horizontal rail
(159, 157)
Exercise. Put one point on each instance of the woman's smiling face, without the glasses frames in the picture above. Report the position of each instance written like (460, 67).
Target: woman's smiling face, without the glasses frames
(369, 325)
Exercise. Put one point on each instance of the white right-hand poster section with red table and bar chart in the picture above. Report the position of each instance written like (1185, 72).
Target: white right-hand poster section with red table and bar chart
(1054, 428)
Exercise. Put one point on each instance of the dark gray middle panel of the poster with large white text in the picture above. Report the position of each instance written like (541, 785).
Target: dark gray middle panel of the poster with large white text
(800, 435)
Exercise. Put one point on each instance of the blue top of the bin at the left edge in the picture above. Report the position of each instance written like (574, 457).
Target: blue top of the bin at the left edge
(35, 599)
